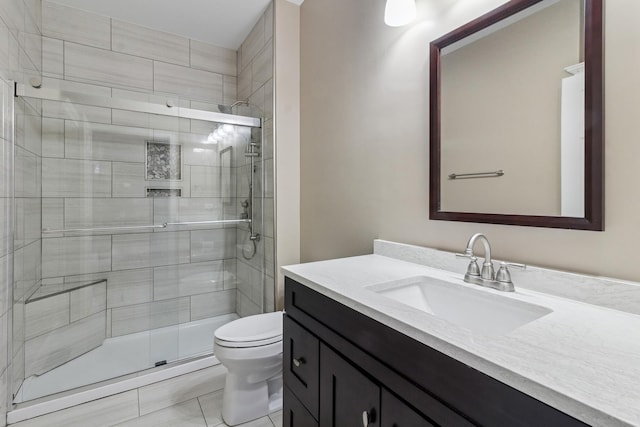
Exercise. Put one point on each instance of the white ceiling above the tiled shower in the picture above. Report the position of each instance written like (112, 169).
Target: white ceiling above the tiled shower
(224, 23)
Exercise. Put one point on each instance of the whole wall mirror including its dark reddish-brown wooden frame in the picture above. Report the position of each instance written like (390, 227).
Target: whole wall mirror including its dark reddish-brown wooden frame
(516, 117)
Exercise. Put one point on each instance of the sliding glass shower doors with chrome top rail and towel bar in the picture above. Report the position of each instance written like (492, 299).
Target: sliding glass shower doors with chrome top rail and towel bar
(148, 219)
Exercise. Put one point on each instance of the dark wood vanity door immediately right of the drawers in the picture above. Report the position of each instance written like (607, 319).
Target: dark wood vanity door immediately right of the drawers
(348, 398)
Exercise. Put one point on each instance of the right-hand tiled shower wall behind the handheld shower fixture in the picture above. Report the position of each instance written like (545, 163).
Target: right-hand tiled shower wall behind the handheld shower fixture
(255, 83)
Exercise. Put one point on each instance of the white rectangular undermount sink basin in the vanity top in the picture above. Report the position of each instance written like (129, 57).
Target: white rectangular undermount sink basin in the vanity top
(478, 310)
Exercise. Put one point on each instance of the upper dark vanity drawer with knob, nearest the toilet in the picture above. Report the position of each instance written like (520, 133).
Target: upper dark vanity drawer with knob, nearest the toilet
(300, 364)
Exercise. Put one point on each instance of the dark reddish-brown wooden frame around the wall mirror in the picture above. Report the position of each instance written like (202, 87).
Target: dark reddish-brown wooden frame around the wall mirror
(594, 126)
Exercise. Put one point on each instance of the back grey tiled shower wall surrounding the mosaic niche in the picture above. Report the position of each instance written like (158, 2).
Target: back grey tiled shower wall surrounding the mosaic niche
(154, 279)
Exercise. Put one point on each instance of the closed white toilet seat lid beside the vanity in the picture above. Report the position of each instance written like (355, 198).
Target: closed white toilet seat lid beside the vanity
(258, 329)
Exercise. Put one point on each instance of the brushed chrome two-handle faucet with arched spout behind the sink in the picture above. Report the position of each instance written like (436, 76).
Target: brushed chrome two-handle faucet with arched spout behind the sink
(487, 276)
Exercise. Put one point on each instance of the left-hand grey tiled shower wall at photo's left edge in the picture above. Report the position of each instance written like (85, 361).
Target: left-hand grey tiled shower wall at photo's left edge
(20, 59)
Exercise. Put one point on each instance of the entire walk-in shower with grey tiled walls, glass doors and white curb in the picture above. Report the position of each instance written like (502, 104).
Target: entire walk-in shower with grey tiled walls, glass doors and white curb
(136, 201)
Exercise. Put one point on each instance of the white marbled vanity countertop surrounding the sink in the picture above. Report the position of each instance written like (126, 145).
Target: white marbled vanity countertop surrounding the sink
(582, 359)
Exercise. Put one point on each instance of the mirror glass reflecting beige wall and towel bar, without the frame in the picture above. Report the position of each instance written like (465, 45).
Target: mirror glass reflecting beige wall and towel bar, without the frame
(512, 100)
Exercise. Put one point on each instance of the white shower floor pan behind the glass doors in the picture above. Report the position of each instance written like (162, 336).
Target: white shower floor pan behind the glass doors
(125, 355)
